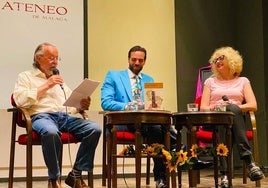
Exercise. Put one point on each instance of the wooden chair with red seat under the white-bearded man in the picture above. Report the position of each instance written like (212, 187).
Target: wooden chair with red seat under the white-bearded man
(21, 118)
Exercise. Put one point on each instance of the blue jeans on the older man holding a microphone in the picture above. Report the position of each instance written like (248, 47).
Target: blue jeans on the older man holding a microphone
(50, 126)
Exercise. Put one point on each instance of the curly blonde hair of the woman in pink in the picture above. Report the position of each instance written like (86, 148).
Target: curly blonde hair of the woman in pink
(233, 57)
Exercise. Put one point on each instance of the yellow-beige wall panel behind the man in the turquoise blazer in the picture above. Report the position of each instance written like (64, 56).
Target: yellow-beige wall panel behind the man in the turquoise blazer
(115, 26)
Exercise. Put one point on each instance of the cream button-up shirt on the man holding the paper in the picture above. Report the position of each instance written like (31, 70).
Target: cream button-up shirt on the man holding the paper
(25, 94)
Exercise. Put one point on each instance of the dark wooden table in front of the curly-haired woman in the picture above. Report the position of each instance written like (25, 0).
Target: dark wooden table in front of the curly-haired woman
(213, 119)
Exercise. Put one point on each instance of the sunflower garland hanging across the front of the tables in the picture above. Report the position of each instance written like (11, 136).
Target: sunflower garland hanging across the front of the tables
(174, 158)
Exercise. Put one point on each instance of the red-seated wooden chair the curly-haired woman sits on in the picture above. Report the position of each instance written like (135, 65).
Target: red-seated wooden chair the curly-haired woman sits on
(205, 136)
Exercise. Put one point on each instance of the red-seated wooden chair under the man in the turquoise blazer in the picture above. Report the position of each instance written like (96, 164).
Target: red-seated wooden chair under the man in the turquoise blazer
(123, 138)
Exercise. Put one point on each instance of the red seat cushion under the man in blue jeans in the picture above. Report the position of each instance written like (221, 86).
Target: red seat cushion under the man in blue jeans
(36, 139)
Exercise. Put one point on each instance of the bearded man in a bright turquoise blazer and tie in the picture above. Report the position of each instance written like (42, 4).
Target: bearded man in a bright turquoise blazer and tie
(117, 94)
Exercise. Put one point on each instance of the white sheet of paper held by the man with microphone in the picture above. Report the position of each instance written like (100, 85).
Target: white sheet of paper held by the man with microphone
(85, 89)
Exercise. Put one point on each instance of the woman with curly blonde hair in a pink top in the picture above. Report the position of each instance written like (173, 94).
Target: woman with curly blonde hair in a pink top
(228, 88)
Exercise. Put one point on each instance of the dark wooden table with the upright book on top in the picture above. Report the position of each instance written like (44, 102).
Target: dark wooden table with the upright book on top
(136, 119)
